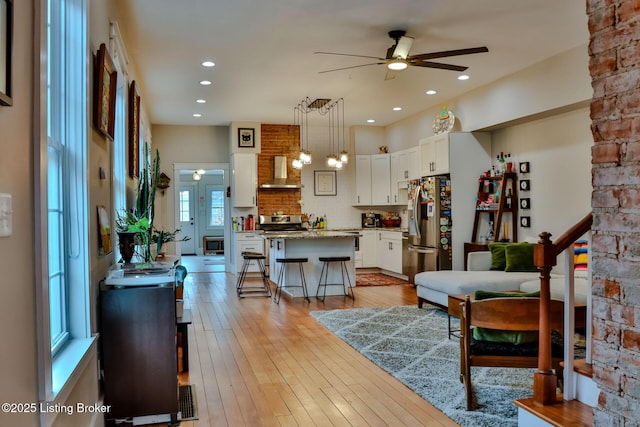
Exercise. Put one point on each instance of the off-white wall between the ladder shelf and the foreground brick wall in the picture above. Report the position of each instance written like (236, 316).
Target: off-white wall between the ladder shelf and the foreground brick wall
(558, 150)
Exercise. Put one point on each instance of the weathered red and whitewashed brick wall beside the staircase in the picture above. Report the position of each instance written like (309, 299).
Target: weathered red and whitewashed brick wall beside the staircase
(614, 52)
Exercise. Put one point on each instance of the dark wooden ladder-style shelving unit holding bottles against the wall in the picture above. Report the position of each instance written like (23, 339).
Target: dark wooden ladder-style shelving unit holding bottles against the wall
(497, 189)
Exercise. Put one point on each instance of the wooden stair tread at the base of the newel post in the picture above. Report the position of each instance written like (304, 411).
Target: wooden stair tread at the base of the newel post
(561, 413)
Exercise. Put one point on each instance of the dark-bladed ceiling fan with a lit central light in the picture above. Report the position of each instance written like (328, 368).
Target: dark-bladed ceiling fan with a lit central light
(398, 57)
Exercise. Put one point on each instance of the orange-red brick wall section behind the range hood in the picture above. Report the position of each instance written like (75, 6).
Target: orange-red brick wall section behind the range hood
(278, 140)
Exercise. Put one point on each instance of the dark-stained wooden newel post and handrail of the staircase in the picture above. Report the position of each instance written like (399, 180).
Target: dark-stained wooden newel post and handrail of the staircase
(545, 254)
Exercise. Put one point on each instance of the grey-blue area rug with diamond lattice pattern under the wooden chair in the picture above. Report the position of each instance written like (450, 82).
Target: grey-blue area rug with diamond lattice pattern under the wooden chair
(412, 345)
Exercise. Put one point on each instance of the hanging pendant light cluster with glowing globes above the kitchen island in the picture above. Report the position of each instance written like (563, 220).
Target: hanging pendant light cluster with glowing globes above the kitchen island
(335, 111)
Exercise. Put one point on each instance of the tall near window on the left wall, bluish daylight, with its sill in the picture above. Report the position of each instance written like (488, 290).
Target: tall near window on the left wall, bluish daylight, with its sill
(61, 179)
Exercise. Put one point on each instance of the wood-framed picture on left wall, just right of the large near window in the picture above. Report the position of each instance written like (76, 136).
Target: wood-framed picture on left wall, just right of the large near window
(105, 93)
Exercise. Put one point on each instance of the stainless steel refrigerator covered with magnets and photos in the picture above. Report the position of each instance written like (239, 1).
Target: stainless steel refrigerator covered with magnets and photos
(427, 243)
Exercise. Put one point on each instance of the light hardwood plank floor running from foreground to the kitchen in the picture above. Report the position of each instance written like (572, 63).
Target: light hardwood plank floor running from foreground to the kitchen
(257, 363)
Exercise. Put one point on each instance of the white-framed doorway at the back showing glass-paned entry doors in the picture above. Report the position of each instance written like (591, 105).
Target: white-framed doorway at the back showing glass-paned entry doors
(202, 207)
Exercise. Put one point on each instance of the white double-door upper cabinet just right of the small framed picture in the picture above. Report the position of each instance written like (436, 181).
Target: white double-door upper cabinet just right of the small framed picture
(373, 180)
